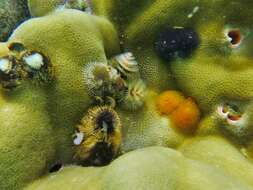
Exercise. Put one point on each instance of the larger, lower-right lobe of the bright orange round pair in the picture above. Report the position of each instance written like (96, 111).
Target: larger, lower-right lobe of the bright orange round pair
(186, 116)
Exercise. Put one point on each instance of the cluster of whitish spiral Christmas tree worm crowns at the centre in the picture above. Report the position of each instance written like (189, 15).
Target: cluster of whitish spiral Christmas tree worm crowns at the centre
(116, 82)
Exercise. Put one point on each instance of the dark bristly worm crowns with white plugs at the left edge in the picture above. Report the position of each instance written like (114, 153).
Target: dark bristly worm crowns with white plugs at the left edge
(22, 64)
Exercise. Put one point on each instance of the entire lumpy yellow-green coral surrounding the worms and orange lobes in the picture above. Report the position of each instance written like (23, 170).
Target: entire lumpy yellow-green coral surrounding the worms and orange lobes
(216, 74)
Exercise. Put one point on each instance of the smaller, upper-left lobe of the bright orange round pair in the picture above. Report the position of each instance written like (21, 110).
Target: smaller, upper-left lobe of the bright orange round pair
(168, 101)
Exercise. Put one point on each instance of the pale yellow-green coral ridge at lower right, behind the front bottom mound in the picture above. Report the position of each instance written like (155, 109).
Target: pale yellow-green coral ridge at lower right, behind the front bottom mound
(220, 154)
